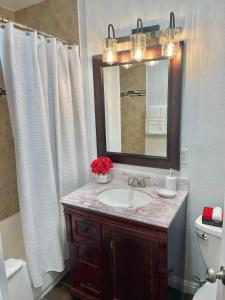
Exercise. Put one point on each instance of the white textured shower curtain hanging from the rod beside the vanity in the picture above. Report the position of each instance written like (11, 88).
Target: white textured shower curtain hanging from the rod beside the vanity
(44, 90)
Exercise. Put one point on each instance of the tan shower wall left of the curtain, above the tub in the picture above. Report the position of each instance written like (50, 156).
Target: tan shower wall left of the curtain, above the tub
(9, 203)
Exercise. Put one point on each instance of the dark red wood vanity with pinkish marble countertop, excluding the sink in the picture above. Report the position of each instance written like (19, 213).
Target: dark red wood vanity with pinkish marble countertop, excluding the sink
(123, 252)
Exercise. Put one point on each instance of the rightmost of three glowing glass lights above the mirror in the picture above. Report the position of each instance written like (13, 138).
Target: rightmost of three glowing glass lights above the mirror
(170, 38)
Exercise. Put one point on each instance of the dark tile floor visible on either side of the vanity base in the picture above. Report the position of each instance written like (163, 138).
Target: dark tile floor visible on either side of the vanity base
(60, 292)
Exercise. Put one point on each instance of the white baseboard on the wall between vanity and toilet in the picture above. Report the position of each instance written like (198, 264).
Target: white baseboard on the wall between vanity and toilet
(185, 286)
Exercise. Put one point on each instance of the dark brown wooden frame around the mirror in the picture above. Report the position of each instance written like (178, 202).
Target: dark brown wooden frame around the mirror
(174, 111)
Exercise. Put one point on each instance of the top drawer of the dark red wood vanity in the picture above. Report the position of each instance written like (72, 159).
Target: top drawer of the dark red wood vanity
(86, 230)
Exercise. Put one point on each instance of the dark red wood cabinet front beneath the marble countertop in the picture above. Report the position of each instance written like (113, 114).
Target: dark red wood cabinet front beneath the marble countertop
(115, 259)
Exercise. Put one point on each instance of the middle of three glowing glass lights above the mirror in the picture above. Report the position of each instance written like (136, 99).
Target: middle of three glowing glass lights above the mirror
(138, 43)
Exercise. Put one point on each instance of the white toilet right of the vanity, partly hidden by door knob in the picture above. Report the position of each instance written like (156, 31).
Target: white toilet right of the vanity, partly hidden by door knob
(209, 239)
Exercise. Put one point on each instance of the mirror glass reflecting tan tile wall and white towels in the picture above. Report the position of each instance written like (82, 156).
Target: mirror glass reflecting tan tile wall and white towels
(136, 100)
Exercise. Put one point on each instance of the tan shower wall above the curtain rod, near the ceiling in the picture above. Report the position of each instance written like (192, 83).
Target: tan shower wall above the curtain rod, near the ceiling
(56, 17)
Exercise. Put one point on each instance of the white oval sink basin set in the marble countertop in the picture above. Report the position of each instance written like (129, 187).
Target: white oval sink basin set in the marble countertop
(122, 197)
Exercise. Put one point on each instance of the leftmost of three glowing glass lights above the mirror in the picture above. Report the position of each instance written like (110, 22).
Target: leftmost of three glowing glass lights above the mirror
(110, 47)
